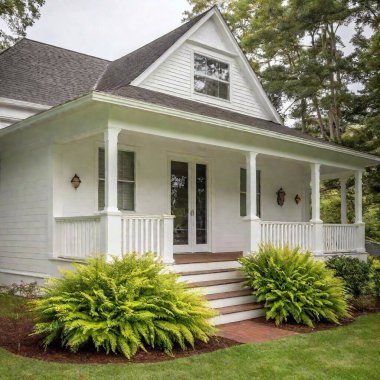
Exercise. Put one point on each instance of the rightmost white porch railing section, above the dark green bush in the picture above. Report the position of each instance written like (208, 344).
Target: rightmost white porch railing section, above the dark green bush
(340, 237)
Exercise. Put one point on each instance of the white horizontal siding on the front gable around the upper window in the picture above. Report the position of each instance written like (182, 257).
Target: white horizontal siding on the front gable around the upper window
(174, 77)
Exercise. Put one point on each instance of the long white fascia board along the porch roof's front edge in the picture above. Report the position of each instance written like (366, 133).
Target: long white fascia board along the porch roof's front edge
(141, 105)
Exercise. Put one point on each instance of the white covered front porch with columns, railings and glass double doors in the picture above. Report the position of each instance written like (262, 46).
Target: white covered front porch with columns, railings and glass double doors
(215, 222)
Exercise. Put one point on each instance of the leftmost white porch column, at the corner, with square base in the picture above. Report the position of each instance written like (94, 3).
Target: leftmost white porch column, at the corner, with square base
(111, 216)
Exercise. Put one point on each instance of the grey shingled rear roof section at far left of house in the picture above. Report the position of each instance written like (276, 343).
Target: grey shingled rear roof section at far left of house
(39, 73)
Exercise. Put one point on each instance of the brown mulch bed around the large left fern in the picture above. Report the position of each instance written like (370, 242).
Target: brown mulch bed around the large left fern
(15, 337)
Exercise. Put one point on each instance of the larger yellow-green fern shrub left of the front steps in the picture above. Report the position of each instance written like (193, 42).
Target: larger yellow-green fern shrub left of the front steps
(121, 306)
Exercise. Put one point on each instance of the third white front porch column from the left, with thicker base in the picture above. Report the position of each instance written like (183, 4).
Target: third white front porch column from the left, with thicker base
(317, 231)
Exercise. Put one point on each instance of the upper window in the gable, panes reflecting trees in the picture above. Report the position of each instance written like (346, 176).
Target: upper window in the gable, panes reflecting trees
(211, 77)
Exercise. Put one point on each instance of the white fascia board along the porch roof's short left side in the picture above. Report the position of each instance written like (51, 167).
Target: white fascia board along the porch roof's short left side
(50, 112)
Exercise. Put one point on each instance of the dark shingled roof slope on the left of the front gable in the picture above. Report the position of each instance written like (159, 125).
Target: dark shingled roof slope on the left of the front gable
(127, 68)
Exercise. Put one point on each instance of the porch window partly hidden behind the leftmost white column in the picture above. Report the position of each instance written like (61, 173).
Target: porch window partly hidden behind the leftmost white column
(125, 180)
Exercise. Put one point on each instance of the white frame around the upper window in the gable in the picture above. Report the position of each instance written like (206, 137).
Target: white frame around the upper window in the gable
(199, 95)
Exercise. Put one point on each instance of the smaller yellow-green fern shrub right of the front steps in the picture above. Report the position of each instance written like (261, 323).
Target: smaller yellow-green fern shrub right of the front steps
(294, 286)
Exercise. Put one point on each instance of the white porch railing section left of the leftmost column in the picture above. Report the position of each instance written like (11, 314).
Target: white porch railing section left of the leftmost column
(77, 237)
